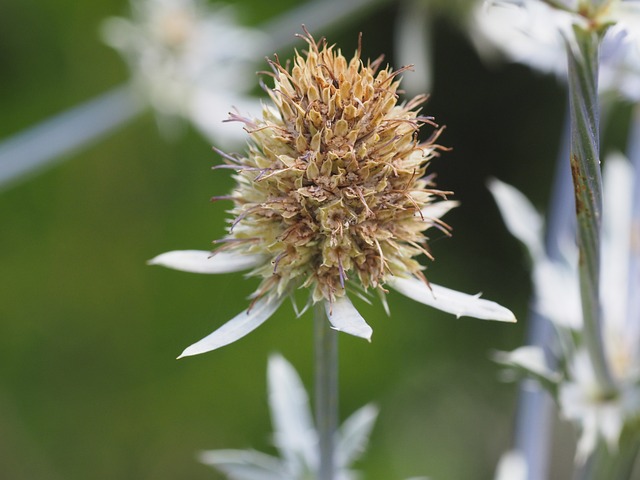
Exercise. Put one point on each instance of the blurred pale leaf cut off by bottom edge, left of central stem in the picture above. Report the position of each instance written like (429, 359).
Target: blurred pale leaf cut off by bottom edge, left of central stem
(244, 464)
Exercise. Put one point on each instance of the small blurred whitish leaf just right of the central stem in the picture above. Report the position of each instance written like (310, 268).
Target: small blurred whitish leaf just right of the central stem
(354, 435)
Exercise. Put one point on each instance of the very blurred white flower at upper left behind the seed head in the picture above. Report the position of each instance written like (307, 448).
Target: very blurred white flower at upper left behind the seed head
(189, 60)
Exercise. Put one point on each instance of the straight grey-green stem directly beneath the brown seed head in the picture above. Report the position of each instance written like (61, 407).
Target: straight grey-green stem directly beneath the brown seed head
(326, 390)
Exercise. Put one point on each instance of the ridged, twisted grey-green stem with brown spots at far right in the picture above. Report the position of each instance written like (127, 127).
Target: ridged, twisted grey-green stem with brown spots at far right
(587, 183)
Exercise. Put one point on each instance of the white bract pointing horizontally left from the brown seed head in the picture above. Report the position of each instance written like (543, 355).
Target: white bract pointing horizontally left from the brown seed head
(201, 261)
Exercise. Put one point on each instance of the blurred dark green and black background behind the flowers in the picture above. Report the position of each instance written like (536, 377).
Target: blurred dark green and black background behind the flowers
(89, 384)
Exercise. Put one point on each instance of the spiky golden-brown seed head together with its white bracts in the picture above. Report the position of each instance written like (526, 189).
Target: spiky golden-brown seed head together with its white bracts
(332, 197)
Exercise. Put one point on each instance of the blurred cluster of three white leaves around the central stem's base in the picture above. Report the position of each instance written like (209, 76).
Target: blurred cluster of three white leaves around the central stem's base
(295, 436)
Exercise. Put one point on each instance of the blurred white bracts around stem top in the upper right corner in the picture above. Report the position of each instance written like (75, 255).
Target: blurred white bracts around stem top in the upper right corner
(534, 33)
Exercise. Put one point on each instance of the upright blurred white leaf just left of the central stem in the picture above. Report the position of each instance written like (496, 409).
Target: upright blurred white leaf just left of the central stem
(294, 432)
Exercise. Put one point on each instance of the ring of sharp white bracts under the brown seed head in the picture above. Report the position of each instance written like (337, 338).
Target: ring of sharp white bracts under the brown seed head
(341, 313)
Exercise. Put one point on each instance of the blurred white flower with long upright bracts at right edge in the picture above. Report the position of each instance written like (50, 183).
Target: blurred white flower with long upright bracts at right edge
(596, 413)
